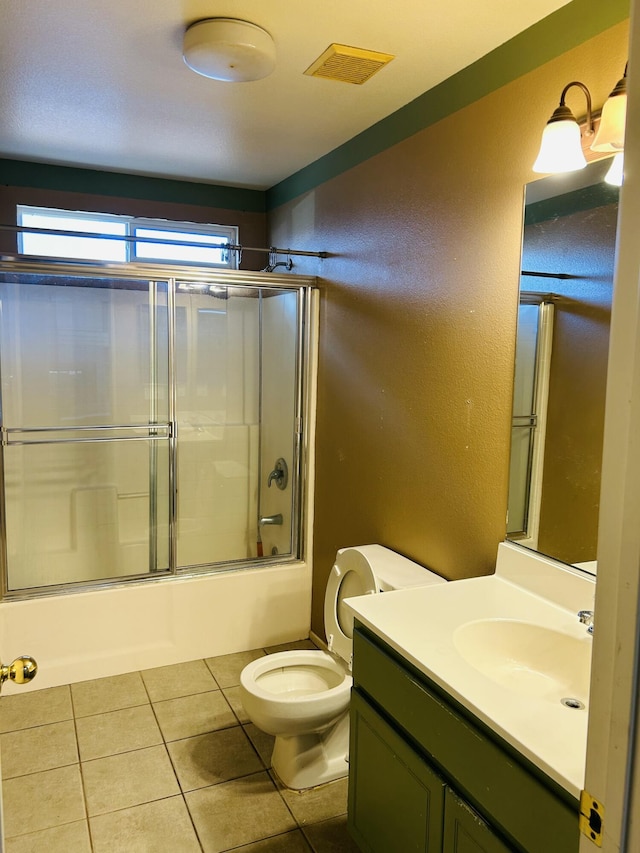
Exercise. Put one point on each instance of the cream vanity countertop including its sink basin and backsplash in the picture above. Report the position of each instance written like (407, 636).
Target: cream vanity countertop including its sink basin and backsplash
(442, 630)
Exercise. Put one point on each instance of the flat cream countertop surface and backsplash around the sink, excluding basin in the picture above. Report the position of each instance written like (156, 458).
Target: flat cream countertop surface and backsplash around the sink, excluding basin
(420, 624)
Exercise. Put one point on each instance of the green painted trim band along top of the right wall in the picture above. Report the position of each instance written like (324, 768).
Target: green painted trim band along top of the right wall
(566, 28)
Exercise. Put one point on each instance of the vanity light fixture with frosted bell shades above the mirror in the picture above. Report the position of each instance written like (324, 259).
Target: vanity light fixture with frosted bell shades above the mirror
(561, 145)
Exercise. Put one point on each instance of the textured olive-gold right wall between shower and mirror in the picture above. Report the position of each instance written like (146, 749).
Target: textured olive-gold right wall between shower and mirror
(417, 322)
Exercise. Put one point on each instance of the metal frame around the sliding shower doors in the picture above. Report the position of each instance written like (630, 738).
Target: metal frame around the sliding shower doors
(306, 342)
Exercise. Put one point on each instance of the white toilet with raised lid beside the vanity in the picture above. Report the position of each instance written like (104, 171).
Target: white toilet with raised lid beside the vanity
(302, 697)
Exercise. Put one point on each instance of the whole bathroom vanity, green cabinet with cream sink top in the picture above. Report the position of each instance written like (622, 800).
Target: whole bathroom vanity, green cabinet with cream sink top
(459, 740)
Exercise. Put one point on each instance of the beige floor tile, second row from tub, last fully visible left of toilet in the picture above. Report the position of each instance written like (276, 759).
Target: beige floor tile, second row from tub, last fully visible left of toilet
(194, 715)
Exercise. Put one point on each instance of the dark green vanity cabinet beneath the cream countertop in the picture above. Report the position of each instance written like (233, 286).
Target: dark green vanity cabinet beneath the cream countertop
(426, 775)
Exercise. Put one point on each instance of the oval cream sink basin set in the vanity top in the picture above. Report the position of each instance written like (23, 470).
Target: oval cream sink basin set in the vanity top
(529, 659)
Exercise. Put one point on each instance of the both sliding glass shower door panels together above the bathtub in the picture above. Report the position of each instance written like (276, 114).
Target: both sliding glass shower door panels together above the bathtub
(145, 423)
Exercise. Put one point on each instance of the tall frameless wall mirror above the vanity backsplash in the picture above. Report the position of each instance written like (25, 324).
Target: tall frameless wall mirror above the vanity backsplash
(566, 284)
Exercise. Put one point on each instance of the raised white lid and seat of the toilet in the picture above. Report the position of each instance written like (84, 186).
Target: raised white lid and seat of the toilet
(351, 575)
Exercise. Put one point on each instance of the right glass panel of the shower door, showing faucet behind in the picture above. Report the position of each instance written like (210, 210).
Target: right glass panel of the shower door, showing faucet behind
(236, 368)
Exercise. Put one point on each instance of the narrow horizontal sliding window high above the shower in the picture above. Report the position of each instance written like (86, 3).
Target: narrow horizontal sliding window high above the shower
(154, 240)
